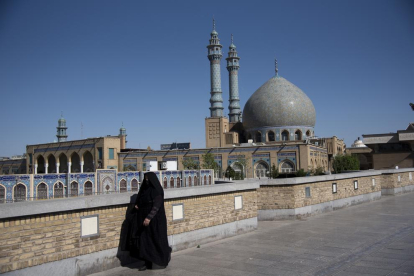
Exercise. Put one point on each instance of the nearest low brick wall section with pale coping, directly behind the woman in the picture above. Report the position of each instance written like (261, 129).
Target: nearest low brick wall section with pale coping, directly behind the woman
(45, 236)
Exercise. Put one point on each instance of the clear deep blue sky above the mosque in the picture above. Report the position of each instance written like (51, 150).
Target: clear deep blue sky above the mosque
(144, 63)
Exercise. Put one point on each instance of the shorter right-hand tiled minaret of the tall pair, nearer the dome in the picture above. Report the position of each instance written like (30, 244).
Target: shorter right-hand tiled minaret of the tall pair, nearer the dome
(233, 68)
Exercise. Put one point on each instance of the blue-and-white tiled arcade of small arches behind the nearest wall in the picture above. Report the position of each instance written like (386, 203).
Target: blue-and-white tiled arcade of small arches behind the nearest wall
(102, 182)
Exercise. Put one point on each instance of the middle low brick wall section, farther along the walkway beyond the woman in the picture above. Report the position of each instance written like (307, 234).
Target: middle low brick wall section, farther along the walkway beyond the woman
(297, 197)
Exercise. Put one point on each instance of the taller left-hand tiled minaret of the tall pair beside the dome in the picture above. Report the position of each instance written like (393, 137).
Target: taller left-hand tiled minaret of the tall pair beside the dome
(214, 55)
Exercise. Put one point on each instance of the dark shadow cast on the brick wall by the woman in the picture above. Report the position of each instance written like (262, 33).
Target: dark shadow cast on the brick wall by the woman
(123, 253)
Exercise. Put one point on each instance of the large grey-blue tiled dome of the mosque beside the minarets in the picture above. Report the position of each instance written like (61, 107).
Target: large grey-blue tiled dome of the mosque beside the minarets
(278, 103)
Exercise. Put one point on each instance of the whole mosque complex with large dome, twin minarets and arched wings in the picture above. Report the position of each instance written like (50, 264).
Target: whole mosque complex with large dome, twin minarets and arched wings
(276, 128)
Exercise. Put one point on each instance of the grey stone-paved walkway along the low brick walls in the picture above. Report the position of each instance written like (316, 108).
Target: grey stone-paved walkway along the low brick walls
(374, 238)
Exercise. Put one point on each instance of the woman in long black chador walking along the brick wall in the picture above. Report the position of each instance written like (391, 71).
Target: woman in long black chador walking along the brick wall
(149, 236)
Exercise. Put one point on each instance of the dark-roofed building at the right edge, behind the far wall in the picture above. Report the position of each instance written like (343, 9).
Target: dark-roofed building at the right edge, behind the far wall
(392, 149)
